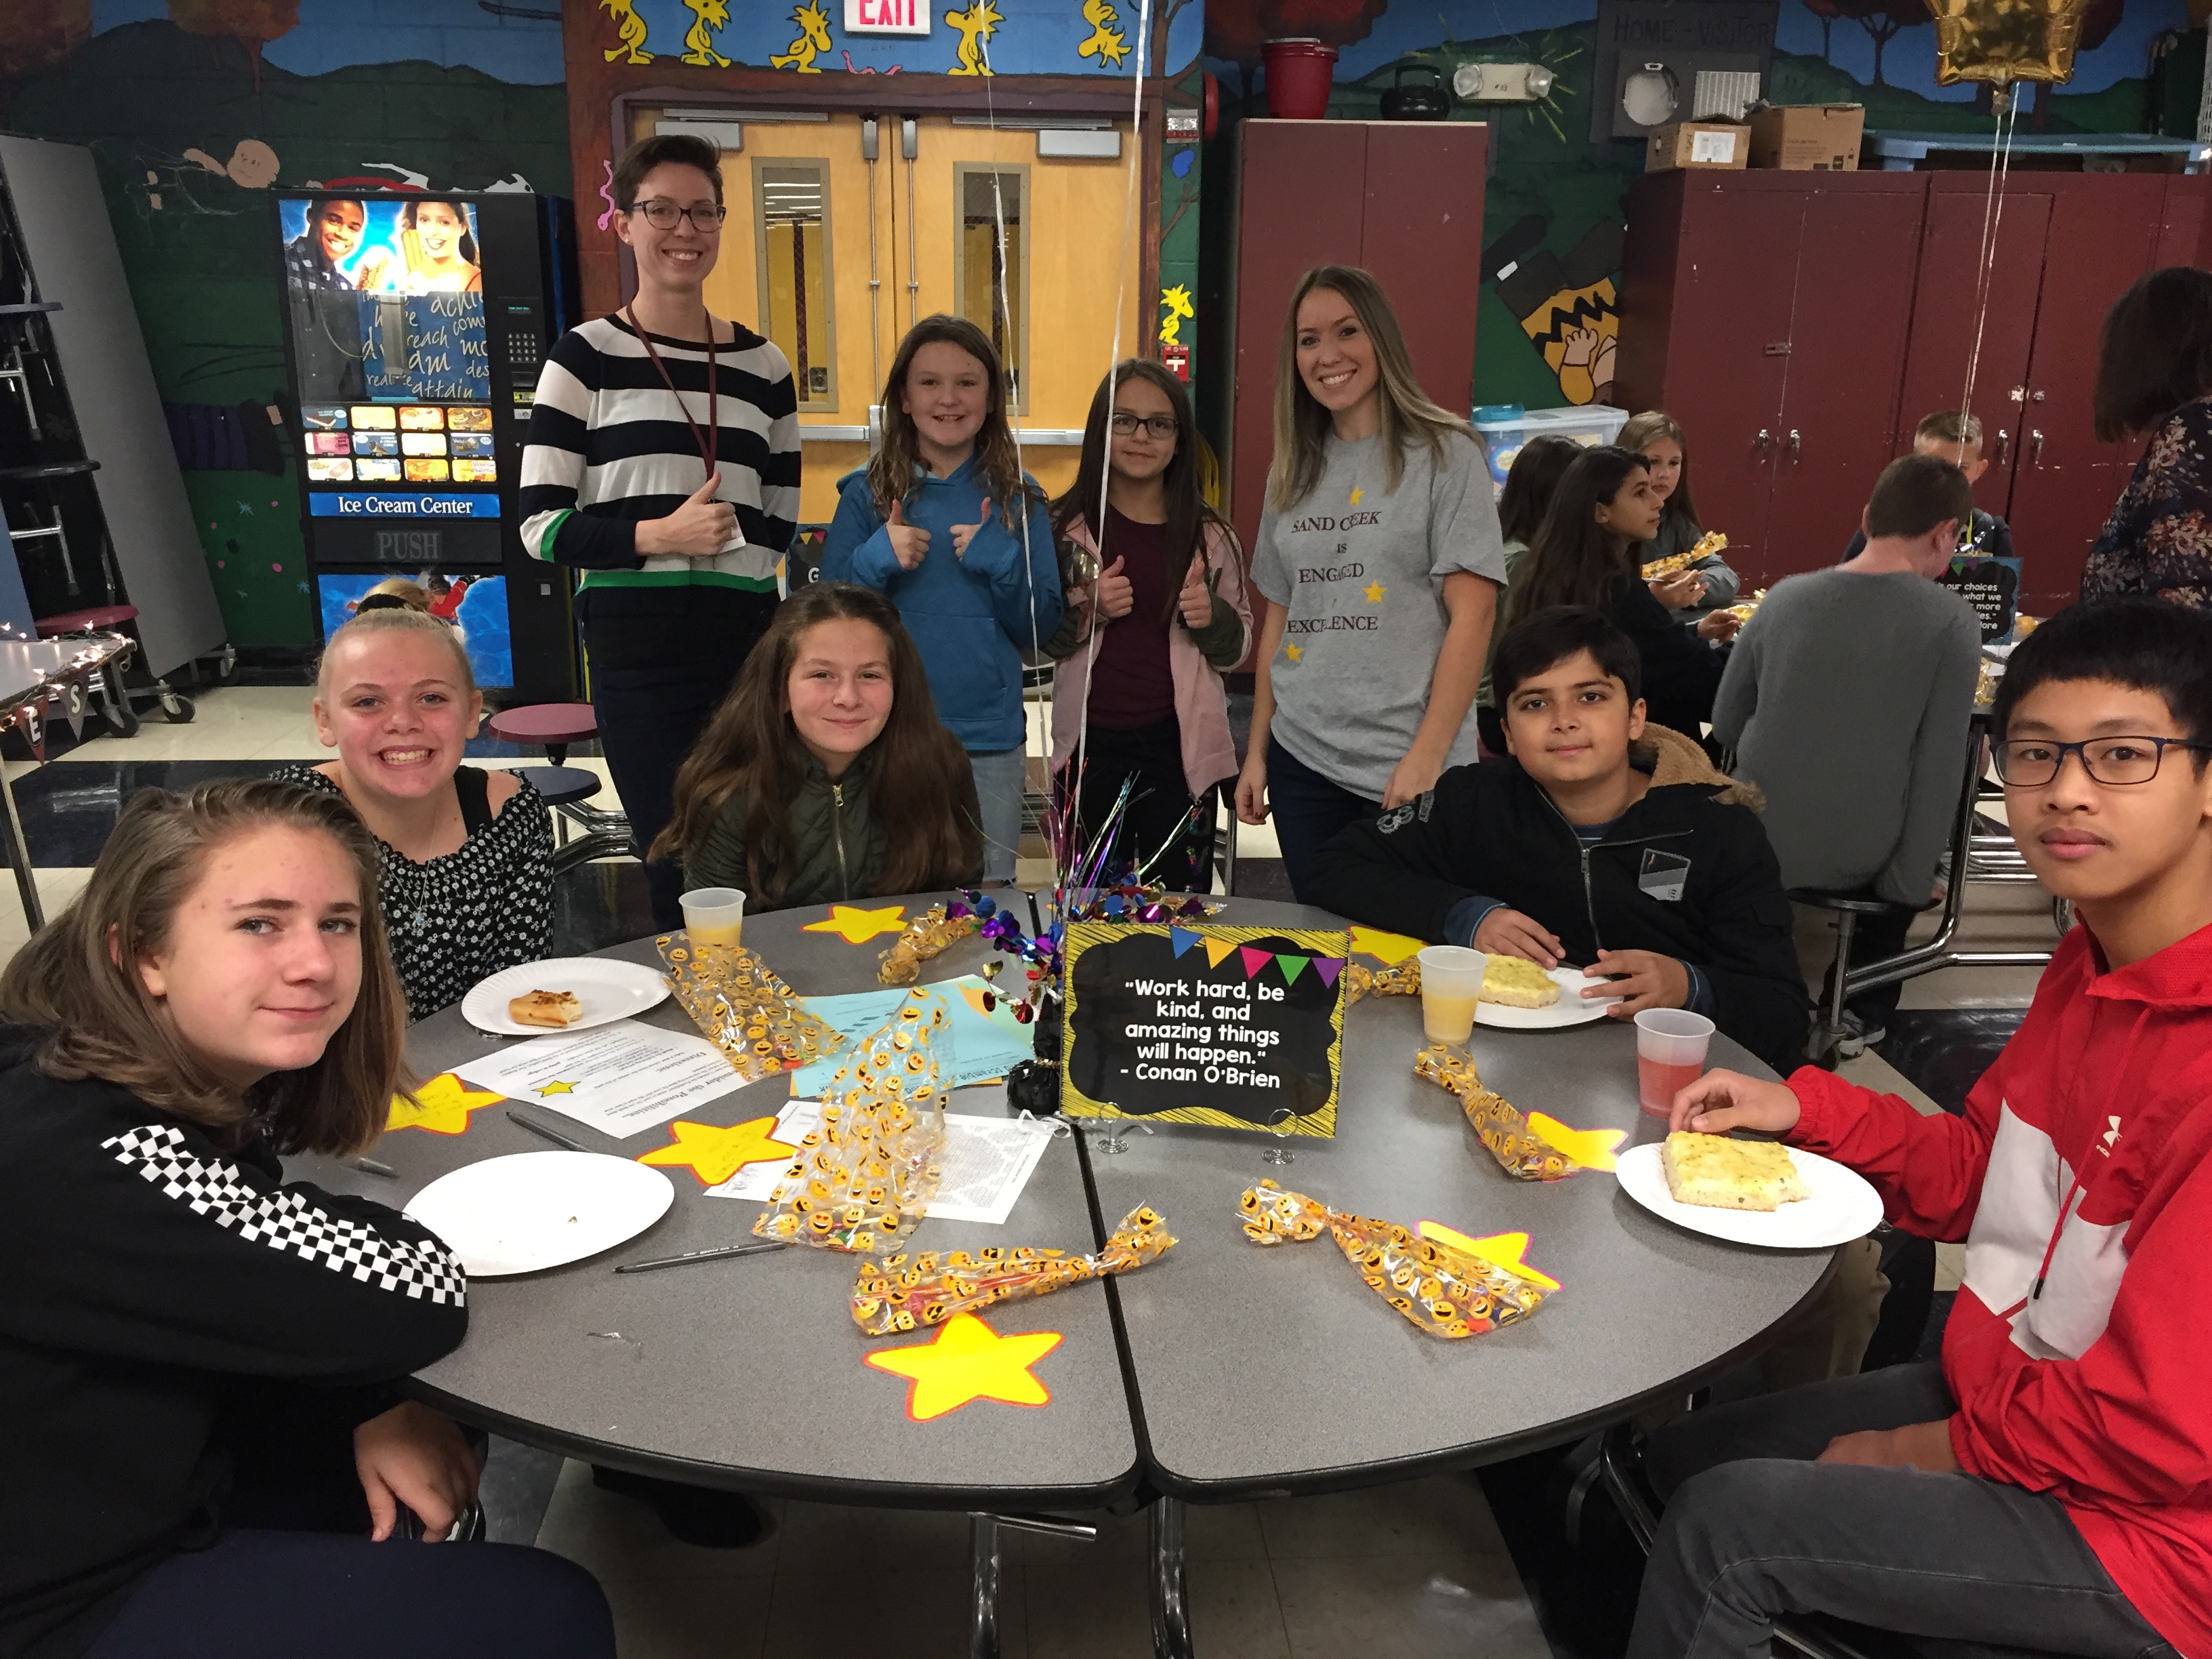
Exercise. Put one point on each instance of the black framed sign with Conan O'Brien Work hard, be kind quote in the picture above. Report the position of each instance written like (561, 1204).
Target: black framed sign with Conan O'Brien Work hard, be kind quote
(1204, 1025)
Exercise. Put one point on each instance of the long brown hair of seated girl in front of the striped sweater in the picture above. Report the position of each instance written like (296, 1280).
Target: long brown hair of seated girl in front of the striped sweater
(753, 751)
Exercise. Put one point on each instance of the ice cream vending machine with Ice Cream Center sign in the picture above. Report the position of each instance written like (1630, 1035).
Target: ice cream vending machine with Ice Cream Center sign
(417, 328)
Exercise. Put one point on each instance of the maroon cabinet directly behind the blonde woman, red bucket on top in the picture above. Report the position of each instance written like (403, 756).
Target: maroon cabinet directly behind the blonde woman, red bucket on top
(1399, 198)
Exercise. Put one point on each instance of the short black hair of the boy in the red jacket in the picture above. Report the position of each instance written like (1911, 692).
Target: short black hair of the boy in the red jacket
(2145, 645)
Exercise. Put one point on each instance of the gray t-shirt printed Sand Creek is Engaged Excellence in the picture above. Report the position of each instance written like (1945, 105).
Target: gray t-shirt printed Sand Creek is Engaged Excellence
(1361, 572)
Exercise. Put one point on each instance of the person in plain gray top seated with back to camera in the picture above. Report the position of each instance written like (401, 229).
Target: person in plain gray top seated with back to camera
(1848, 702)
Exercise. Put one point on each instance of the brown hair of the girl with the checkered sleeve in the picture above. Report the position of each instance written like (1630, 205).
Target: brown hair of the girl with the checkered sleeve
(103, 1023)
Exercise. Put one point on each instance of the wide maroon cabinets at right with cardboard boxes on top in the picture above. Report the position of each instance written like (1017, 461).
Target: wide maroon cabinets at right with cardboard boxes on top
(1802, 324)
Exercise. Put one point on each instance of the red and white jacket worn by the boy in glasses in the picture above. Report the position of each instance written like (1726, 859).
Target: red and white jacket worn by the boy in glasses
(2080, 1178)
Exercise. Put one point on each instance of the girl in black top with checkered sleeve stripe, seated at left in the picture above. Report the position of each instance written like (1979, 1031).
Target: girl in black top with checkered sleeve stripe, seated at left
(202, 1437)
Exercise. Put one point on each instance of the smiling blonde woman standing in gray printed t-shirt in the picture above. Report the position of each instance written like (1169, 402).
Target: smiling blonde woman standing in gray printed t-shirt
(1379, 565)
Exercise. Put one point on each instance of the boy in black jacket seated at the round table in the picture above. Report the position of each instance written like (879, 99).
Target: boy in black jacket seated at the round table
(1603, 844)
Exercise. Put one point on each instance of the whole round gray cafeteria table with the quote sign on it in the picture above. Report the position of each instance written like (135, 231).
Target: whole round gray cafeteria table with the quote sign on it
(1220, 1373)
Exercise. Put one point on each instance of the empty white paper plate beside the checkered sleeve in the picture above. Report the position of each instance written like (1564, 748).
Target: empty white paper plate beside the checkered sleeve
(530, 1211)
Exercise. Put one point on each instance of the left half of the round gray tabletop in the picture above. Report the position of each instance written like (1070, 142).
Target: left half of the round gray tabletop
(751, 1373)
